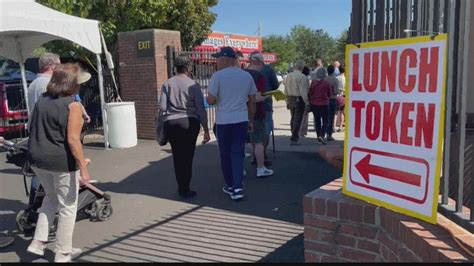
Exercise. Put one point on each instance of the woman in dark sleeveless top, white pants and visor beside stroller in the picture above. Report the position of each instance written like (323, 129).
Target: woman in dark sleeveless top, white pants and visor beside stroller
(56, 156)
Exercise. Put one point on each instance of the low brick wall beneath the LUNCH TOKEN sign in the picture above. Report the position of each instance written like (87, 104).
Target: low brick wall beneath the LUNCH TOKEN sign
(339, 228)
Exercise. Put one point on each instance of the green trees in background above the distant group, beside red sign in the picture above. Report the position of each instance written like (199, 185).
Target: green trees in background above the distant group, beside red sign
(306, 44)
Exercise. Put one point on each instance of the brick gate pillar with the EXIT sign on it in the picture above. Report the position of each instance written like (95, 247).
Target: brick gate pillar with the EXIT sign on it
(143, 69)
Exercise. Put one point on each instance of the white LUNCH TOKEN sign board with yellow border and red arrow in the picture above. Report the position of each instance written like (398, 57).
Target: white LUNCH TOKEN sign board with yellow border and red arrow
(395, 122)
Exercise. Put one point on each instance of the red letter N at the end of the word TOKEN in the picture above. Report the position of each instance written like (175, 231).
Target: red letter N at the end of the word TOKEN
(425, 125)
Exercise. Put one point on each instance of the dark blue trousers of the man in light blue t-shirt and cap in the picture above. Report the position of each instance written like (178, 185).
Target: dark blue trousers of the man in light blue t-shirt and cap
(231, 139)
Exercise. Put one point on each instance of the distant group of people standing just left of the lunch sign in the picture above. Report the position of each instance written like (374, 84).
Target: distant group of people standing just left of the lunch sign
(321, 92)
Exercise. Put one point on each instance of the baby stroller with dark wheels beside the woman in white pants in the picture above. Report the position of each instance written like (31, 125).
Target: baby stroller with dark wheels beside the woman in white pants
(92, 202)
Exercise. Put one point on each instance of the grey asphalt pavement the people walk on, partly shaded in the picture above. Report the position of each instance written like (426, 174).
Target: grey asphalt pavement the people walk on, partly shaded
(151, 223)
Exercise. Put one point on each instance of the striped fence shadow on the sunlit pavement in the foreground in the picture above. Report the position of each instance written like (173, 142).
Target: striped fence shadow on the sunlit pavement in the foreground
(203, 234)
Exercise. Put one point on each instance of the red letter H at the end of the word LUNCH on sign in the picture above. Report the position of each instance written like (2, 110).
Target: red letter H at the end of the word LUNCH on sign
(429, 69)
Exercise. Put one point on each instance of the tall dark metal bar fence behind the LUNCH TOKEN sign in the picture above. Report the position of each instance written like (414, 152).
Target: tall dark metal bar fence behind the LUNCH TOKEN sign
(374, 20)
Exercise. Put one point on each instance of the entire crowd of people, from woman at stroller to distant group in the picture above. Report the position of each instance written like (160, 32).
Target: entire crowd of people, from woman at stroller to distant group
(244, 115)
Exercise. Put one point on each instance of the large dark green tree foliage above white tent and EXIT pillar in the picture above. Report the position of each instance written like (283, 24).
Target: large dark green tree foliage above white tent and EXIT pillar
(191, 17)
